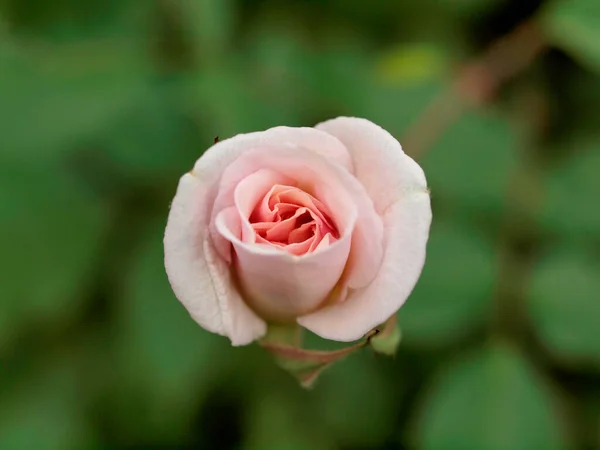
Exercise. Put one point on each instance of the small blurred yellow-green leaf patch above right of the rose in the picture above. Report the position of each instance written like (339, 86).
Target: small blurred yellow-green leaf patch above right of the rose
(409, 63)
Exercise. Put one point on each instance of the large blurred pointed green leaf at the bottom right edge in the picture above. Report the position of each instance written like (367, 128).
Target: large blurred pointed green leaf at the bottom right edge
(490, 400)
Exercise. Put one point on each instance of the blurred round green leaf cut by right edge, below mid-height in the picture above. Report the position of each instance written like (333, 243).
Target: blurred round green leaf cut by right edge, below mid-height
(564, 306)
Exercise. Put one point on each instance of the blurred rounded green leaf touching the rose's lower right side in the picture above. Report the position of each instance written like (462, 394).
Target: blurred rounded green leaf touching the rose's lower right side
(453, 294)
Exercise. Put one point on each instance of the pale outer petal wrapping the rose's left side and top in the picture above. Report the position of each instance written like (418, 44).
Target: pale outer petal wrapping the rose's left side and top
(199, 276)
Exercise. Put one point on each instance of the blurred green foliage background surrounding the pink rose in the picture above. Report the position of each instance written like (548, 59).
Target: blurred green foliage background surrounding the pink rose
(105, 103)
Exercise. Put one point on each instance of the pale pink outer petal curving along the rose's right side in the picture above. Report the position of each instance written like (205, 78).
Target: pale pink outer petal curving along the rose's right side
(398, 188)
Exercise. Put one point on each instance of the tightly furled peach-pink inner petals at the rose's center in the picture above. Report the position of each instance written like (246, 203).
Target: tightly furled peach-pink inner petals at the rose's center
(293, 220)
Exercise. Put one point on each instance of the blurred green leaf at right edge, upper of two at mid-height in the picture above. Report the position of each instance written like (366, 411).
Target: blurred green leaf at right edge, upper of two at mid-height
(570, 204)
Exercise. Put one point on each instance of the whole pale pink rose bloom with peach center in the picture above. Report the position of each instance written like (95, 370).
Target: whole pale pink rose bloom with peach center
(324, 226)
